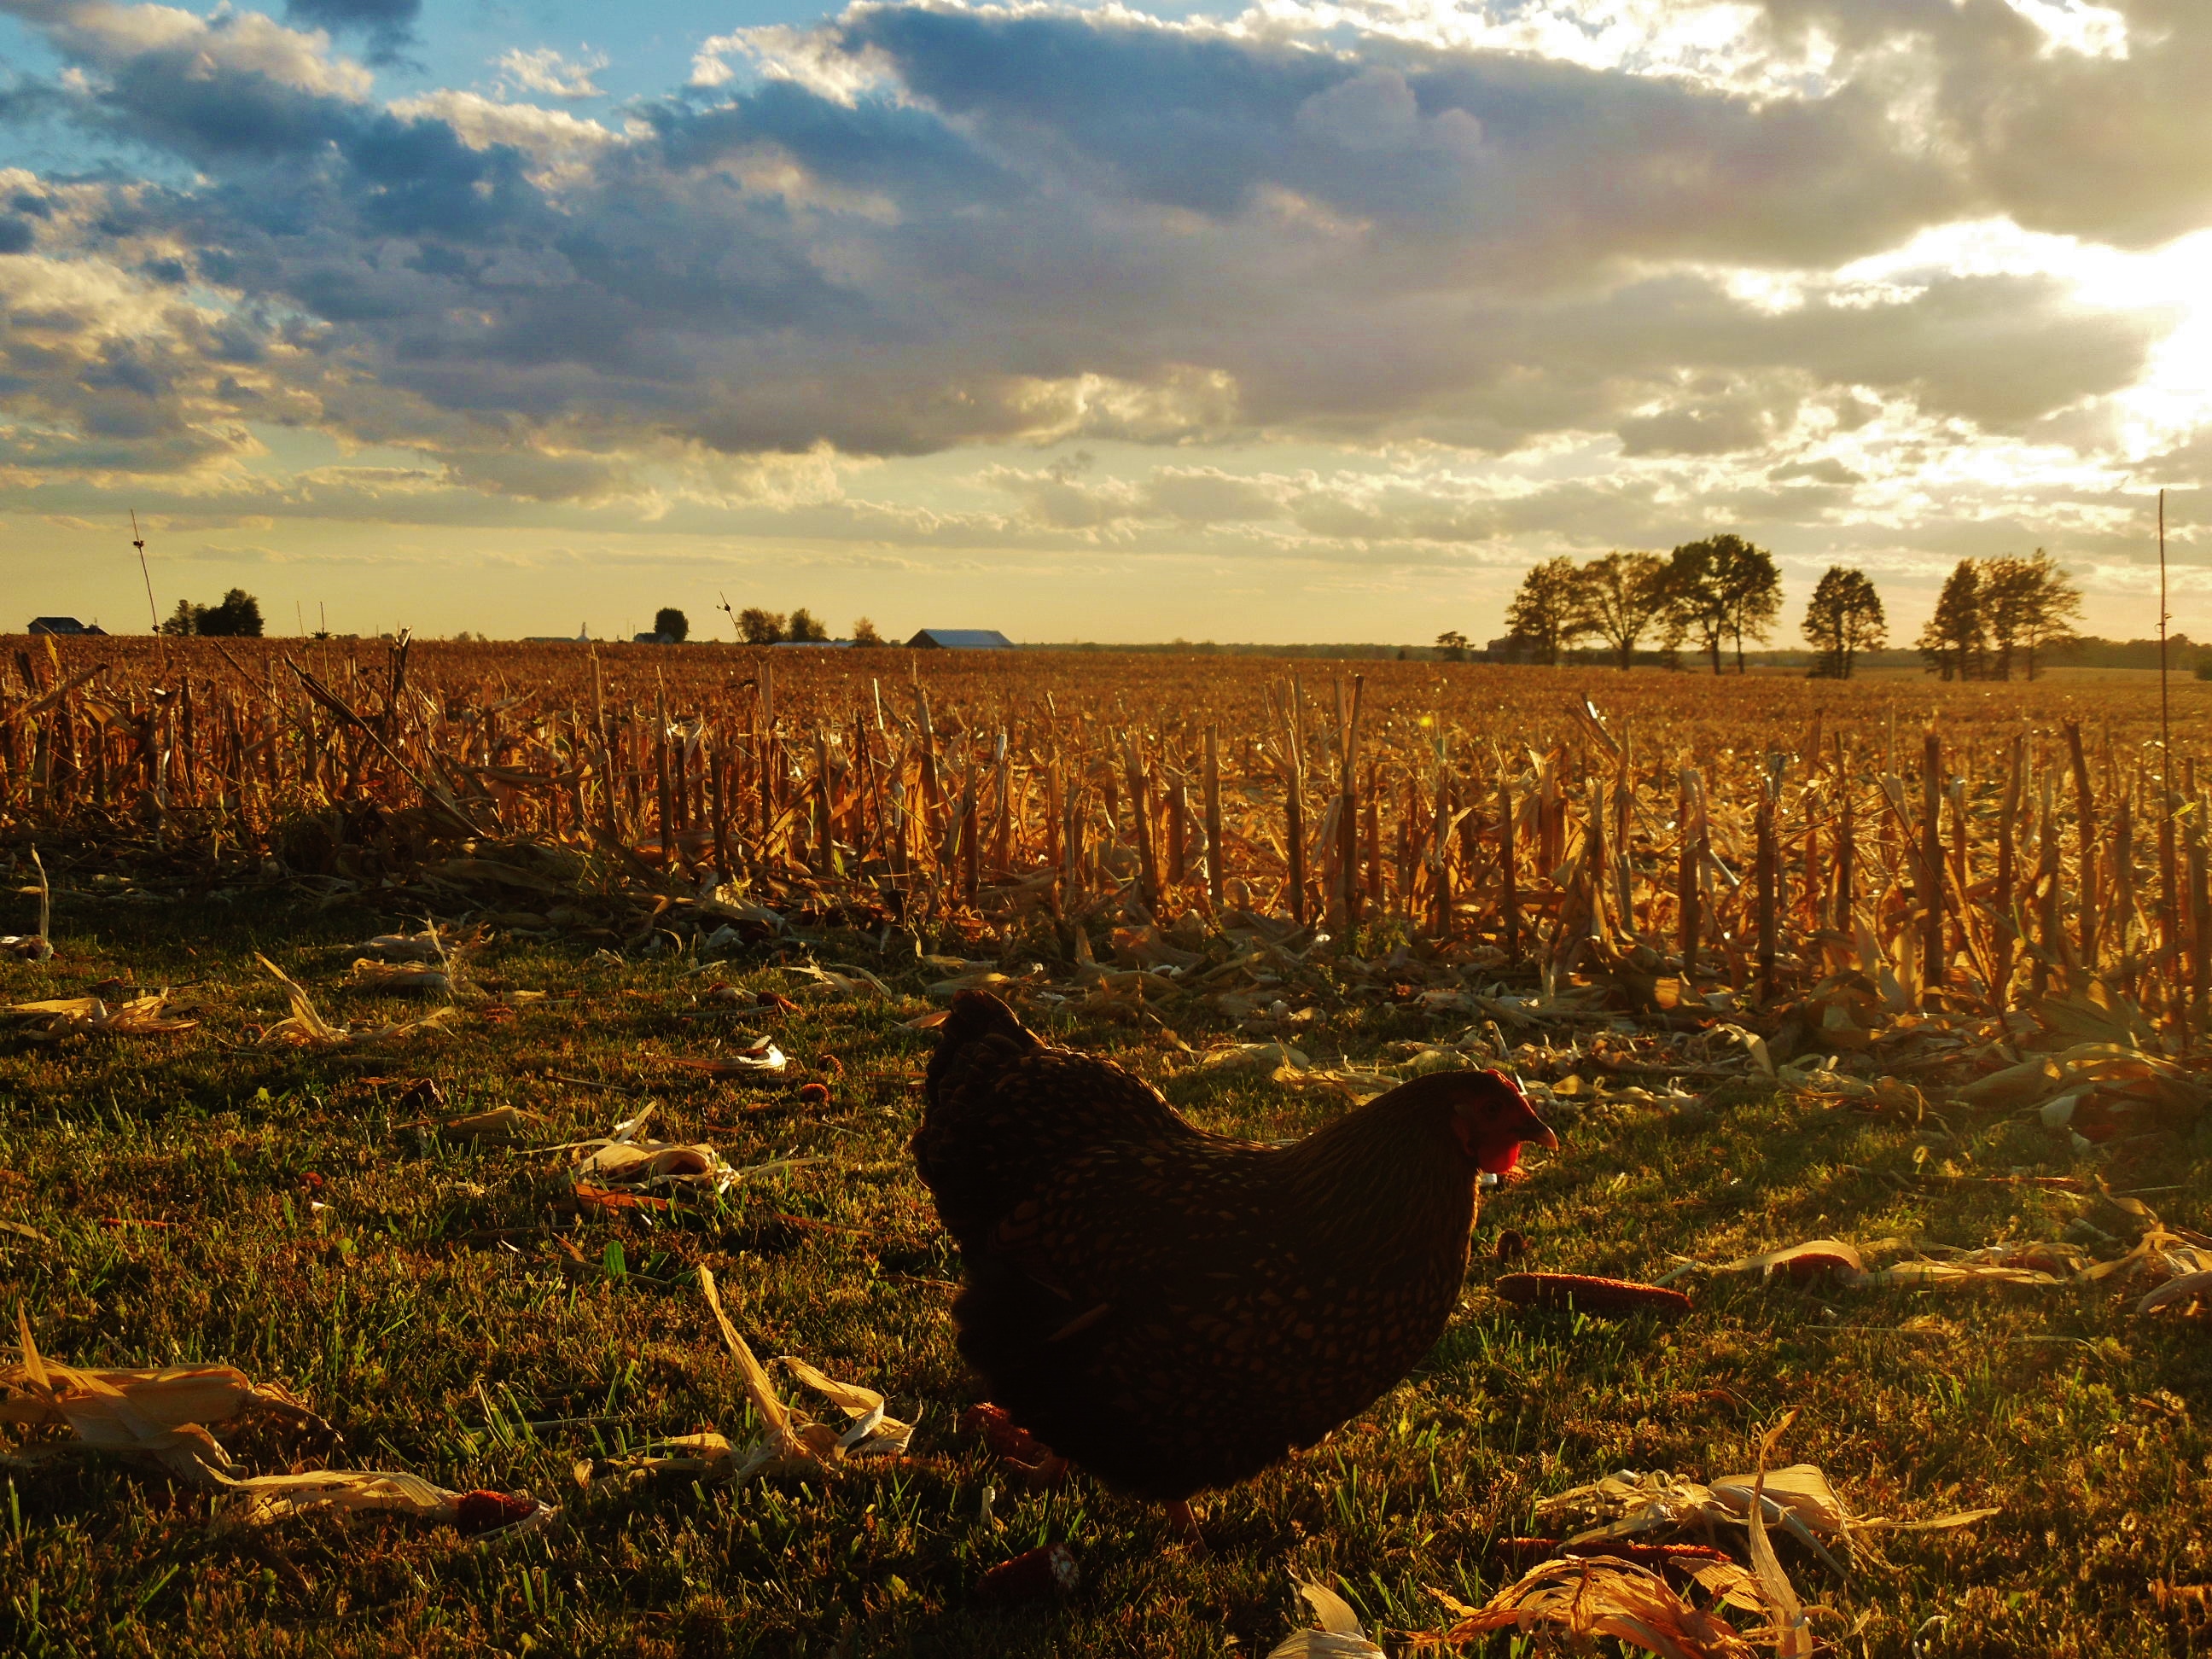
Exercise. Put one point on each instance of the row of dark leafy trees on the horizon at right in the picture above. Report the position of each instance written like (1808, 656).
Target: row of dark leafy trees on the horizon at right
(1722, 592)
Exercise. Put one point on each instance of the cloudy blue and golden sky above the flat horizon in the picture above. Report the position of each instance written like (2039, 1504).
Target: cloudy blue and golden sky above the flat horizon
(1295, 322)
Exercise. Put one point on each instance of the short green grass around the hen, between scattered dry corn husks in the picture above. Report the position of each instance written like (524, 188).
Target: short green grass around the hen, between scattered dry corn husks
(435, 1319)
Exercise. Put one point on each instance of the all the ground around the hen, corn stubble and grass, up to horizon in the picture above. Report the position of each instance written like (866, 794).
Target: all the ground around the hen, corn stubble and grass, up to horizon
(477, 1081)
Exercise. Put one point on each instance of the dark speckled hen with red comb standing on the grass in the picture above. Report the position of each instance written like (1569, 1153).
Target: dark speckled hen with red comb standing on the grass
(1173, 1311)
